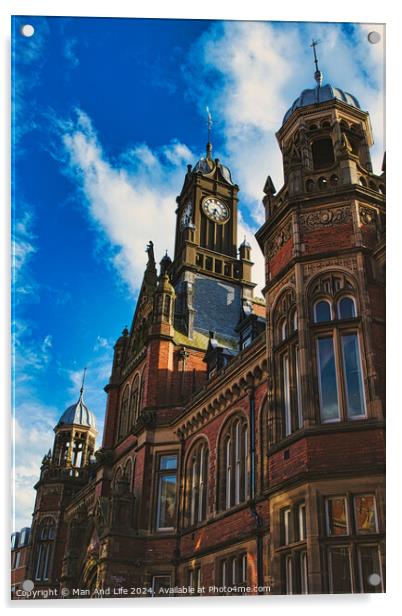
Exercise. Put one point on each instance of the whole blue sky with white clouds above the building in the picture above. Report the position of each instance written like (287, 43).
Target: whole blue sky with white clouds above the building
(106, 115)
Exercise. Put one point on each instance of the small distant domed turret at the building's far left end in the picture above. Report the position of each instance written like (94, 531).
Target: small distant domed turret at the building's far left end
(65, 470)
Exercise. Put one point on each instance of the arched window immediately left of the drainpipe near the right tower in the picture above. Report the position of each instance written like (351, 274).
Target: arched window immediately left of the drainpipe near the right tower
(234, 463)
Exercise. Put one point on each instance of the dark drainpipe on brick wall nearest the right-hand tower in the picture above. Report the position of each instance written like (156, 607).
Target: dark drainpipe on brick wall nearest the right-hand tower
(253, 509)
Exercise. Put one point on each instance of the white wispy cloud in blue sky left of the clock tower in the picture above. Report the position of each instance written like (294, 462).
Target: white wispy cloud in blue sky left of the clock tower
(130, 201)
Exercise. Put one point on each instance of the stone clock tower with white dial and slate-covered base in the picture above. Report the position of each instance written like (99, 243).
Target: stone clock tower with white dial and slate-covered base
(211, 277)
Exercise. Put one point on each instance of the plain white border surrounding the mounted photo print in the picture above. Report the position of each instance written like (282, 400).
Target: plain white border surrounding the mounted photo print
(308, 10)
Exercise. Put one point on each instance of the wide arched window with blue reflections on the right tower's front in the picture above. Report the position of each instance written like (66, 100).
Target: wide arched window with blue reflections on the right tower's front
(338, 351)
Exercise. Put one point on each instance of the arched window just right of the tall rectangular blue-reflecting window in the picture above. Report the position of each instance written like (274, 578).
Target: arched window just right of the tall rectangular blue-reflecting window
(197, 484)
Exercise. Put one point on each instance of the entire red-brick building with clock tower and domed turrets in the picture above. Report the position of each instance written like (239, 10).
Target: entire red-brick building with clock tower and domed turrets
(243, 450)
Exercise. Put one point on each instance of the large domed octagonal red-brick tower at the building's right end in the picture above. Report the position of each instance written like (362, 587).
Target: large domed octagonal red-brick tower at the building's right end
(323, 241)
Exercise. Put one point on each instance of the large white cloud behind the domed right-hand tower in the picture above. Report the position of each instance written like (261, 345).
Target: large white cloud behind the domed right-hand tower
(249, 73)
